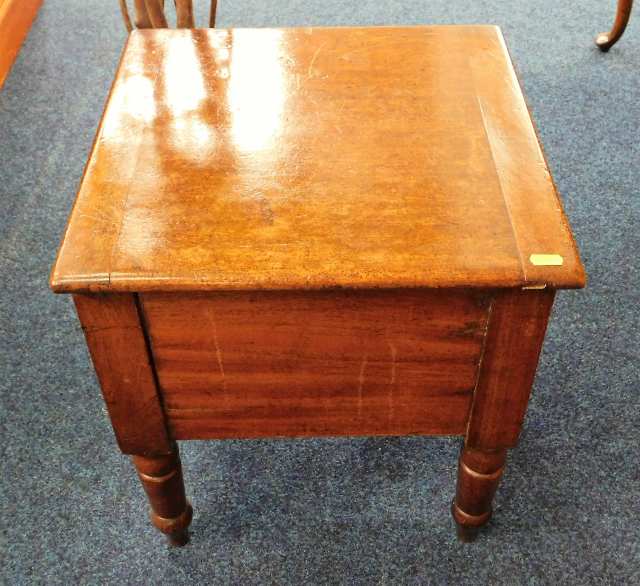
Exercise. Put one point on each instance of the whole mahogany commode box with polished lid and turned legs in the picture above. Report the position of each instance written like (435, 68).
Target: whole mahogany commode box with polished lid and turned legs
(316, 232)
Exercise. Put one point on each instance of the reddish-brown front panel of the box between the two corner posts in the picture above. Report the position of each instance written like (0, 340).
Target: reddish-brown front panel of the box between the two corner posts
(316, 363)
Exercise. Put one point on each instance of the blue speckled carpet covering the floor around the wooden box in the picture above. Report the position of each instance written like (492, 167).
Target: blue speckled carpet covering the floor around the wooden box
(362, 511)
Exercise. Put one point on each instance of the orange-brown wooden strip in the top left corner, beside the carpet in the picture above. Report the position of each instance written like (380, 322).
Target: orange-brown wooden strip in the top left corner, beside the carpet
(16, 17)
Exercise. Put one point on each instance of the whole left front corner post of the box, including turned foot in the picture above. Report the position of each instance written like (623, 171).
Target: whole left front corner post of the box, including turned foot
(113, 329)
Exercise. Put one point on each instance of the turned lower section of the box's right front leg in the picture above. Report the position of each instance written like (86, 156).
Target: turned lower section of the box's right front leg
(479, 473)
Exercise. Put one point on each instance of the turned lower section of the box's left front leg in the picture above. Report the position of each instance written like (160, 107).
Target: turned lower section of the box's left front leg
(161, 477)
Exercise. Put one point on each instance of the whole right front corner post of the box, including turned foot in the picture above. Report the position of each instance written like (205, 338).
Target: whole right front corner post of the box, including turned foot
(515, 333)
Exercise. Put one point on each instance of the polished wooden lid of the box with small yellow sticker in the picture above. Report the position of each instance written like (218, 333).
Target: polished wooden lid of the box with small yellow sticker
(316, 157)
